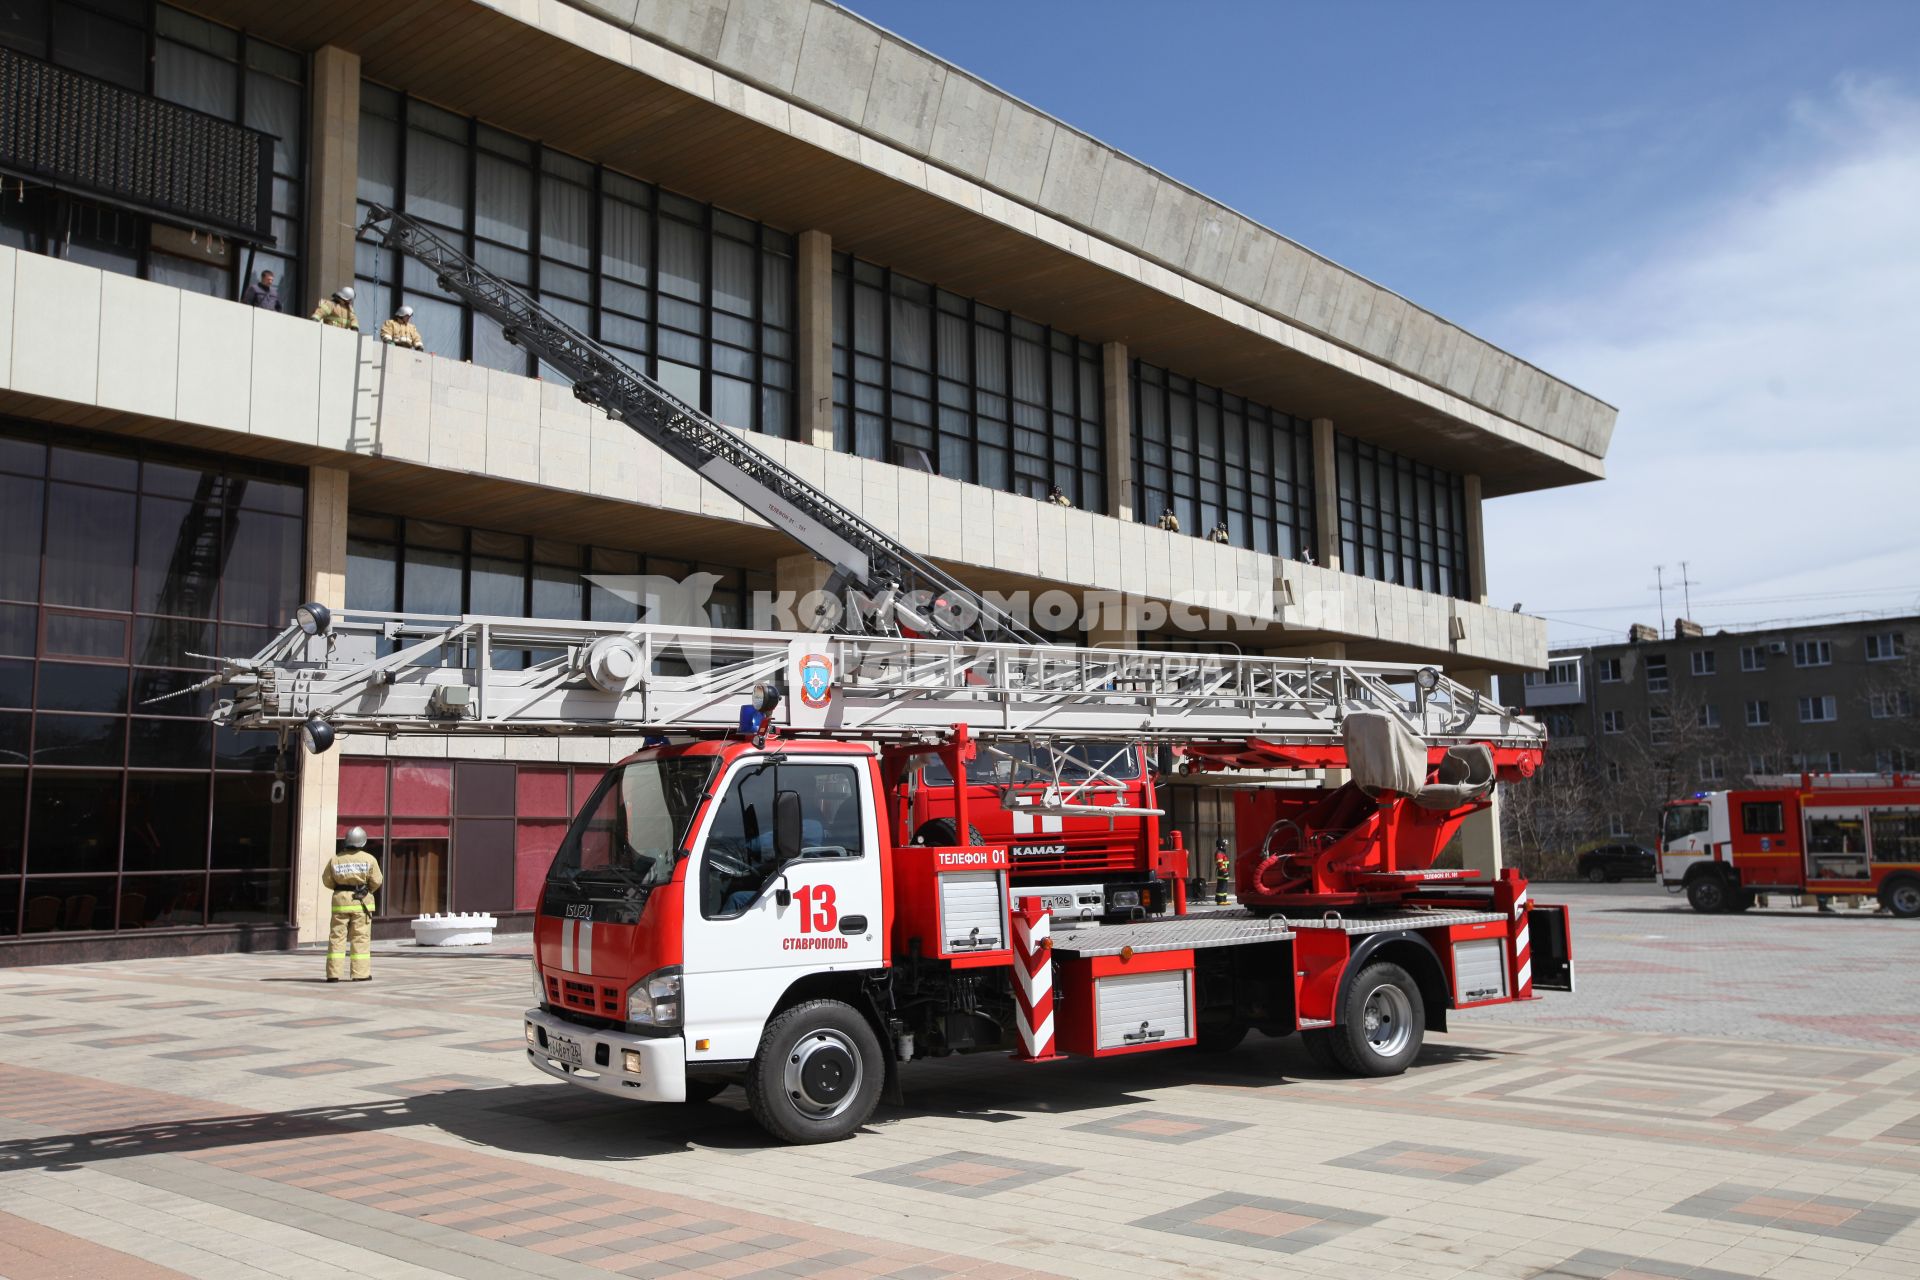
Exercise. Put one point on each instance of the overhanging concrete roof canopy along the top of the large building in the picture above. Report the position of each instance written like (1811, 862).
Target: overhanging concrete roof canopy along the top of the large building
(804, 116)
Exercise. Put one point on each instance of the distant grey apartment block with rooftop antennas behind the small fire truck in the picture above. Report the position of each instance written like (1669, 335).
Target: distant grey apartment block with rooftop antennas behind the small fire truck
(1664, 717)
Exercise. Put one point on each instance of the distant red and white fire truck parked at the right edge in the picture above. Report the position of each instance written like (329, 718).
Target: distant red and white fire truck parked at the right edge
(1823, 836)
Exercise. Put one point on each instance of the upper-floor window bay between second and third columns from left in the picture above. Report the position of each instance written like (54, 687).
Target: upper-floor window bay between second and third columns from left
(944, 383)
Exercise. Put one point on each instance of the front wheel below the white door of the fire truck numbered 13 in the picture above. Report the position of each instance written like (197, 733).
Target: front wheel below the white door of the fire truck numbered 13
(819, 1074)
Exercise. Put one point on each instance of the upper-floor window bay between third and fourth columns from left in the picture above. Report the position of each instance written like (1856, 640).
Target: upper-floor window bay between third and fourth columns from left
(1211, 456)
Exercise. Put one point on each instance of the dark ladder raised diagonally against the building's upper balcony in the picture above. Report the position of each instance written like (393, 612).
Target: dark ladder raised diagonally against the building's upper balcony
(901, 590)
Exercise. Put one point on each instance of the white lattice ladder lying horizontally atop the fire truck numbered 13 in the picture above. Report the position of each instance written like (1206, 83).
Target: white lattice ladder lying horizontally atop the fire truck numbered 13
(389, 675)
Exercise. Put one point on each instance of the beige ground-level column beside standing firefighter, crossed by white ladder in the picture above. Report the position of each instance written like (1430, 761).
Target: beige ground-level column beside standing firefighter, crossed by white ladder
(320, 776)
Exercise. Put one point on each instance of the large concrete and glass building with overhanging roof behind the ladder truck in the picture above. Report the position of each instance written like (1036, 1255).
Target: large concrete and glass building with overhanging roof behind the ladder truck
(907, 285)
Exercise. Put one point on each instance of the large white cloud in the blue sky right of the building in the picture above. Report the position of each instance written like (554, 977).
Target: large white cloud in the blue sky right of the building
(1767, 369)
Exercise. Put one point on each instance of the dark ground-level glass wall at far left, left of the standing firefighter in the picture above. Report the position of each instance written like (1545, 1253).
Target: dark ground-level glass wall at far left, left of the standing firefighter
(116, 565)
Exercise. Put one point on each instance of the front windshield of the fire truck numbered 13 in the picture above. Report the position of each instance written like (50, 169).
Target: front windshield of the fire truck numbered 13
(635, 822)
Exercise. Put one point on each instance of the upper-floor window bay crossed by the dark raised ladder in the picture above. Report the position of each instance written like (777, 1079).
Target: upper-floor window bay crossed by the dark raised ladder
(694, 296)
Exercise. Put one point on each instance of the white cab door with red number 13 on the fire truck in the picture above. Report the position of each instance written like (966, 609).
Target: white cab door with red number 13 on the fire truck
(744, 947)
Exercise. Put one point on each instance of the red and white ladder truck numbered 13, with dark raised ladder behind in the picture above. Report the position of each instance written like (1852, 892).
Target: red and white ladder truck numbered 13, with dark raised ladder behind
(742, 901)
